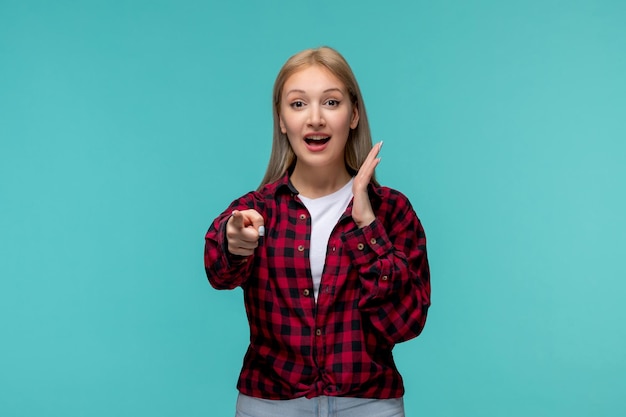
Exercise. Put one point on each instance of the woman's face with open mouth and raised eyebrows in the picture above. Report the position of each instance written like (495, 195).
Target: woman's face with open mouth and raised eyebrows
(316, 114)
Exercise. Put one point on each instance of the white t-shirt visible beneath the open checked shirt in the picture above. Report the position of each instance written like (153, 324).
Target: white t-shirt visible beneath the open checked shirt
(325, 213)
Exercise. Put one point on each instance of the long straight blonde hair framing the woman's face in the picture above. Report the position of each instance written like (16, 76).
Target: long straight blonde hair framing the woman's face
(359, 143)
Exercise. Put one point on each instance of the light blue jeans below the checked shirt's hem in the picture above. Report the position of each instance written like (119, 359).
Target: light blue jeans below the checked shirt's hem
(319, 407)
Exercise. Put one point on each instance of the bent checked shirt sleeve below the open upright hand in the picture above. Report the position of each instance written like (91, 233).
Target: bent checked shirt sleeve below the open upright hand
(390, 256)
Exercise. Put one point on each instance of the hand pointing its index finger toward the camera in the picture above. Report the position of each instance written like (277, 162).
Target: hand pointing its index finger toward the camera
(243, 230)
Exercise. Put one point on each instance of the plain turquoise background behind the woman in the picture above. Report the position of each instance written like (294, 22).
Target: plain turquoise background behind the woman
(127, 126)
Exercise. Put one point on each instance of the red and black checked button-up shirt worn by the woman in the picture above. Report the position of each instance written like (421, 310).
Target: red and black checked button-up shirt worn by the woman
(374, 293)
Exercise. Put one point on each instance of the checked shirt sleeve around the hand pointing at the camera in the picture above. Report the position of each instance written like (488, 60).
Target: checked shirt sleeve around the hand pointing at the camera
(223, 269)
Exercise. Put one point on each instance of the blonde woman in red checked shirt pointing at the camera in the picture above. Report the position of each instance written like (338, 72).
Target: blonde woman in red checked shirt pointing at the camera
(333, 266)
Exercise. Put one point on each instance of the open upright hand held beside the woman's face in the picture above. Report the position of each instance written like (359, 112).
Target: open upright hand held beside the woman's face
(362, 212)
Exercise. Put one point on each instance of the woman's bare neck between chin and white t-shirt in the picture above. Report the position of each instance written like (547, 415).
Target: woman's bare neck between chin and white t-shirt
(314, 183)
